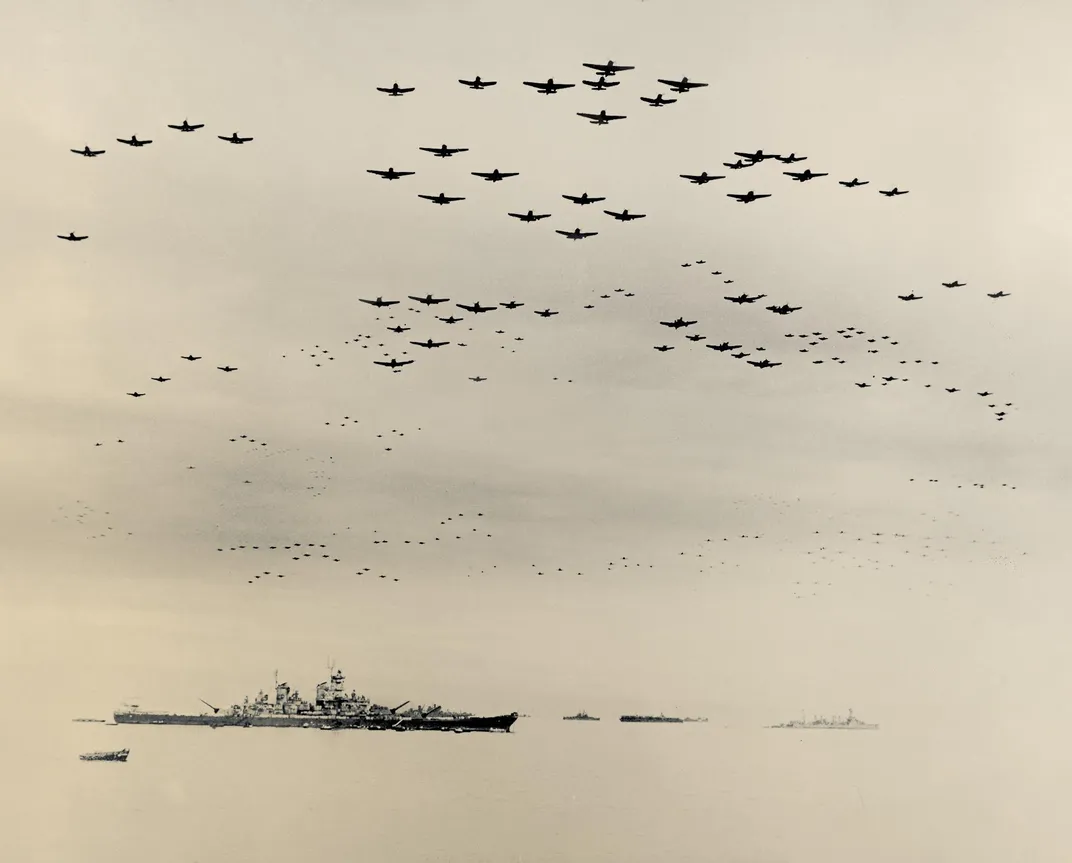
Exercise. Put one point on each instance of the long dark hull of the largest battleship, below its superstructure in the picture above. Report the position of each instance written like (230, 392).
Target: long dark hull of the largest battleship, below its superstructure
(299, 721)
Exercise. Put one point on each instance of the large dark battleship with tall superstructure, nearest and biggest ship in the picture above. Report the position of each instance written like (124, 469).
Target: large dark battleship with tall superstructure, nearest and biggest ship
(333, 709)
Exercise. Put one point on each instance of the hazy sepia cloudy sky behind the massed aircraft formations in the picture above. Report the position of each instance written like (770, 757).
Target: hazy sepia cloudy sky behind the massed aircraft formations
(598, 525)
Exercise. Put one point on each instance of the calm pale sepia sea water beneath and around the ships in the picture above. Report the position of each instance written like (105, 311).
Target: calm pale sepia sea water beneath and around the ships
(548, 792)
